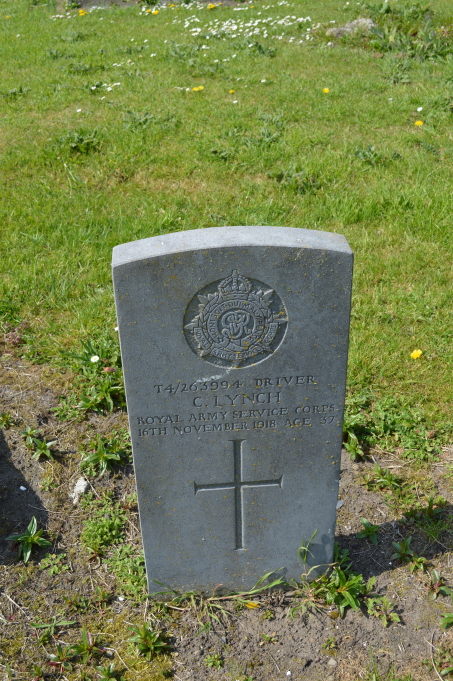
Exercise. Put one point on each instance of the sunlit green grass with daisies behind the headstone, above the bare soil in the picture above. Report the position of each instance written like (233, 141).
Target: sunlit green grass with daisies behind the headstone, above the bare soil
(147, 158)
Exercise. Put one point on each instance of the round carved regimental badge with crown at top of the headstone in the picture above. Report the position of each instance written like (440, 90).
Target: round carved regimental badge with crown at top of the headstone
(240, 321)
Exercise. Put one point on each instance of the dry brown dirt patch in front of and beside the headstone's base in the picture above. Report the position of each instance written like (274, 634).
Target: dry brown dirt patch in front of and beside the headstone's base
(261, 643)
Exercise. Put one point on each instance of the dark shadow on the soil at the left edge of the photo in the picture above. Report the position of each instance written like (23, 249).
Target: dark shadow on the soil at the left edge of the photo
(16, 506)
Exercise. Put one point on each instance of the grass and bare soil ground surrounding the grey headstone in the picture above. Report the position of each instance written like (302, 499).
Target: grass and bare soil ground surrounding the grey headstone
(129, 122)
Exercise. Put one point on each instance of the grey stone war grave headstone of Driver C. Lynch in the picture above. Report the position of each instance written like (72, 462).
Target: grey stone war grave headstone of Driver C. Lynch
(234, 346)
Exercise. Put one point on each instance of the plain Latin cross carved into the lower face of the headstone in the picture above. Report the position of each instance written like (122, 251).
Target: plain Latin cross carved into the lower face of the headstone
(238, 486)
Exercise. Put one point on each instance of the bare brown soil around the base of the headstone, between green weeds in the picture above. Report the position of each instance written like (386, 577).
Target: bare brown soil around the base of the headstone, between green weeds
(293, 645)
